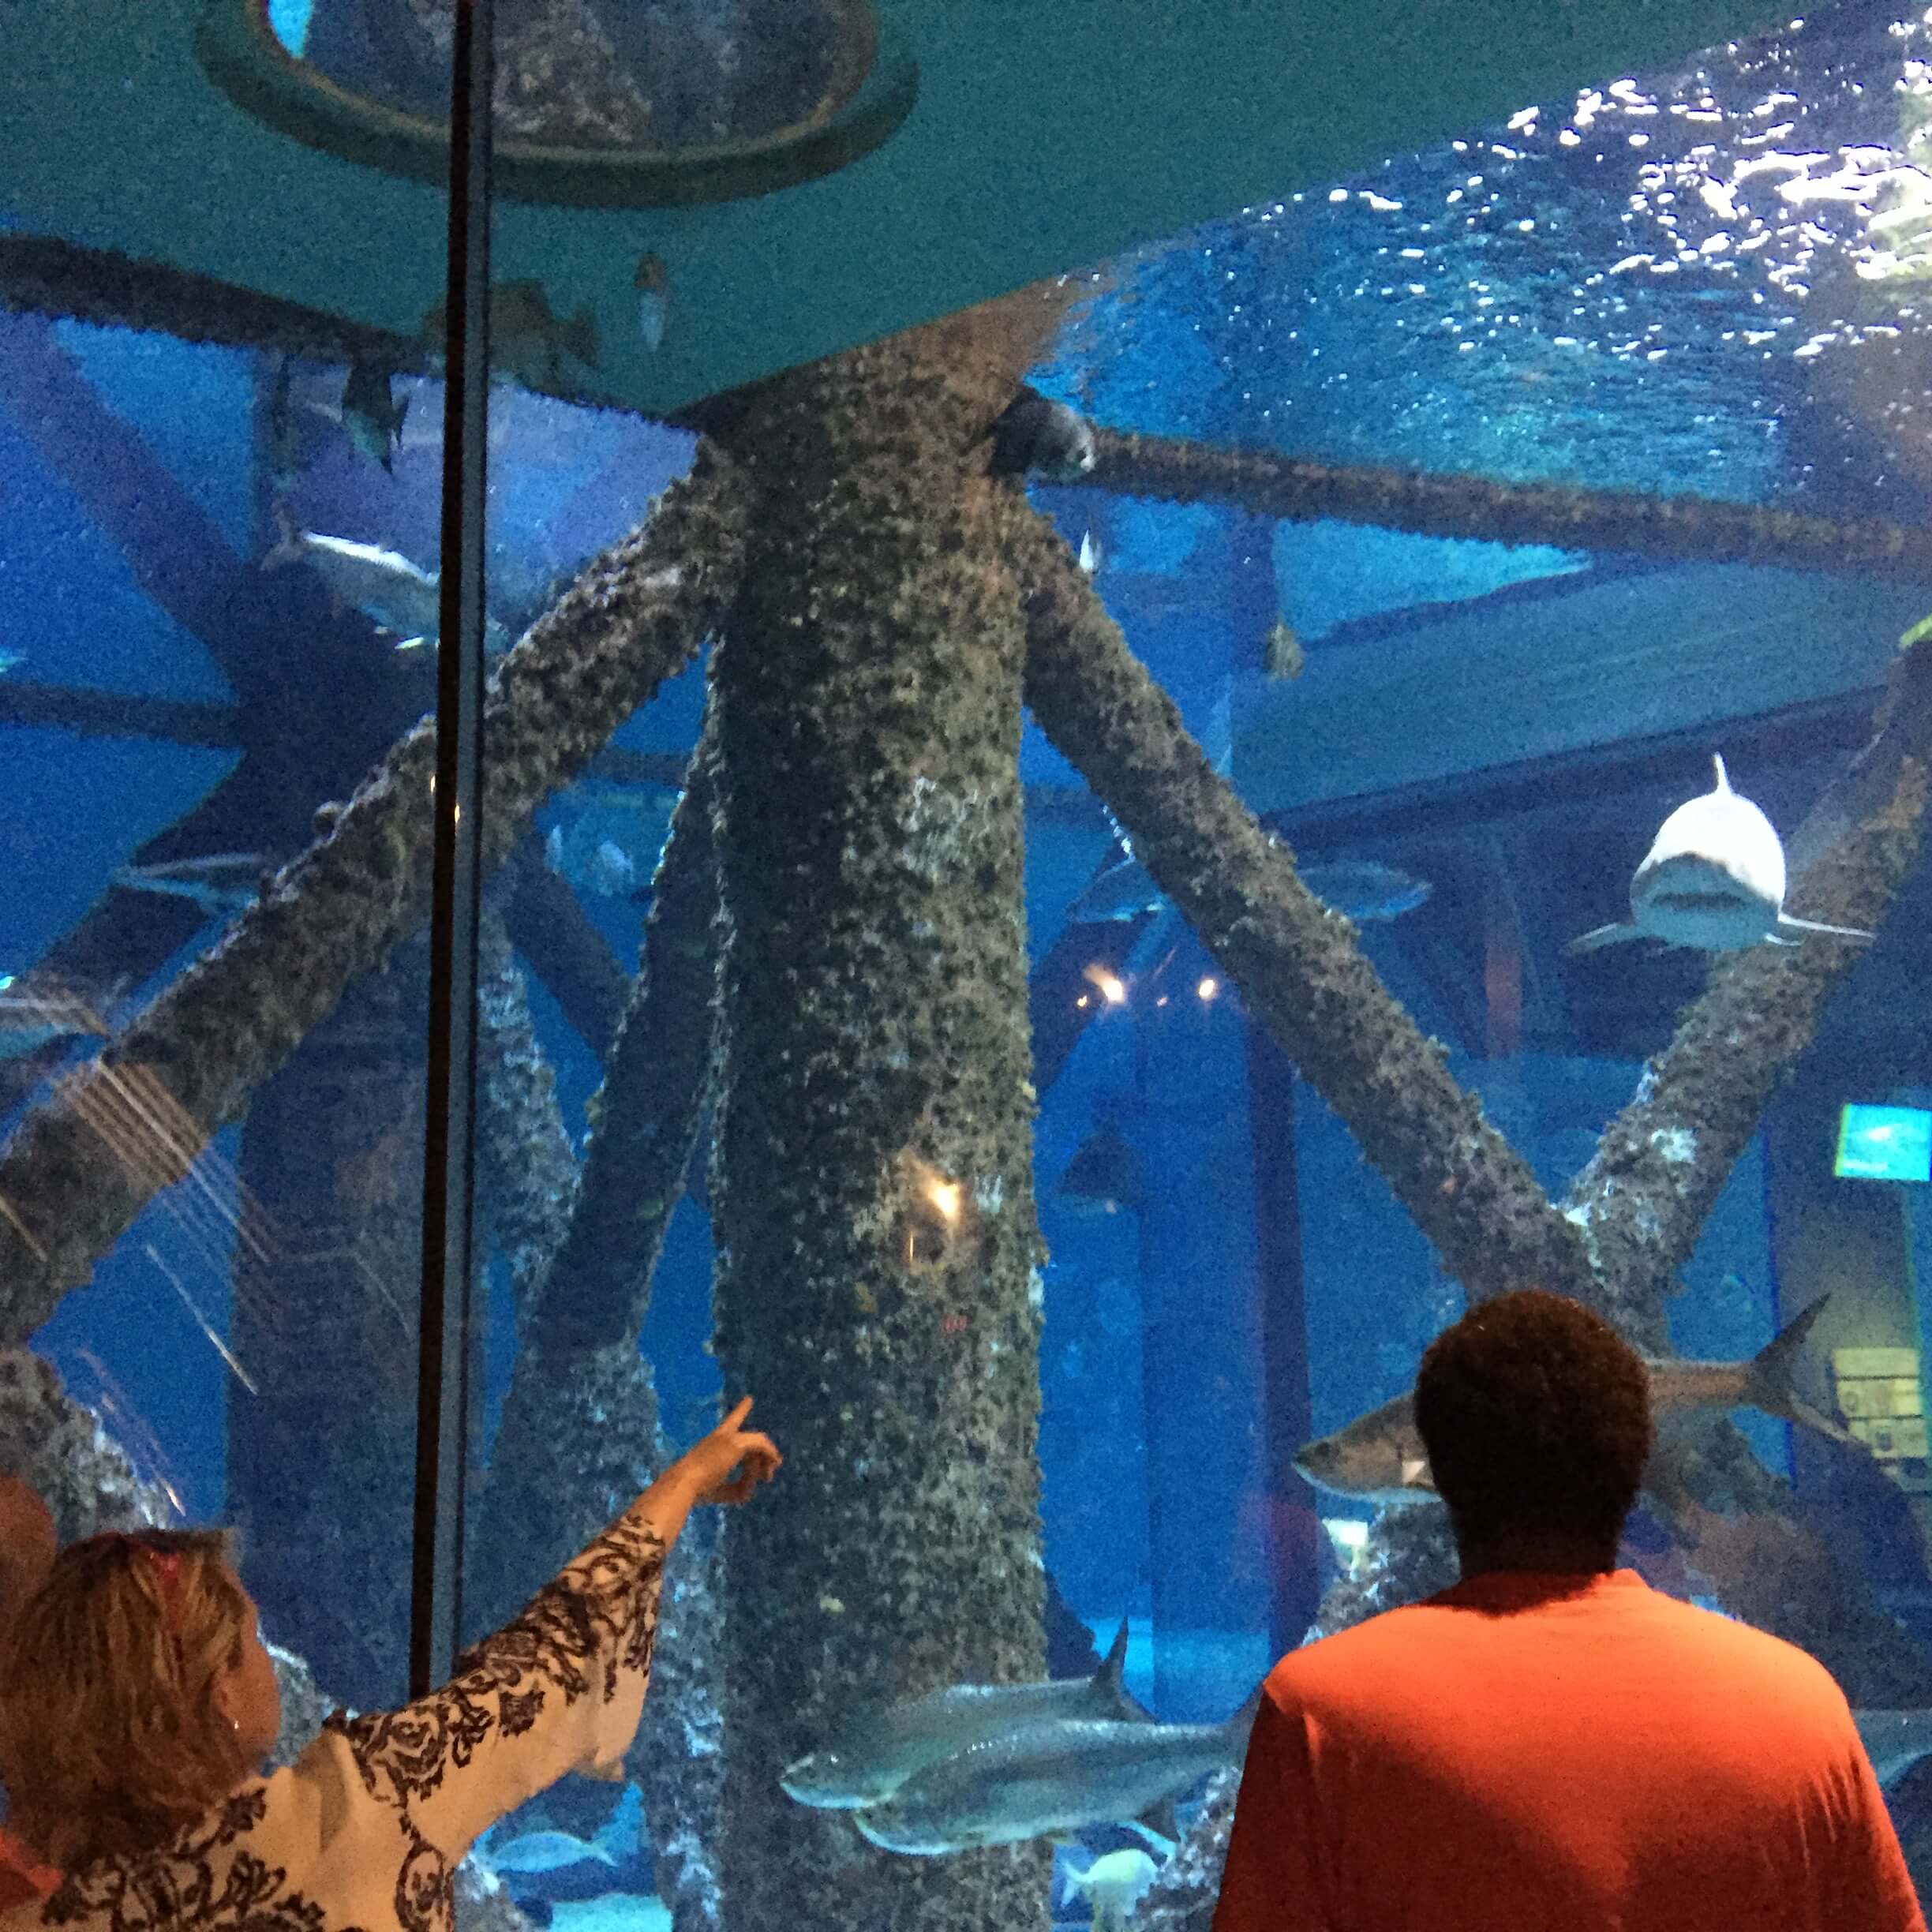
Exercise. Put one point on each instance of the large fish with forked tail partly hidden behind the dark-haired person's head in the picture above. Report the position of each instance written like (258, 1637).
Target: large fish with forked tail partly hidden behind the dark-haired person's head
(1382, 1456)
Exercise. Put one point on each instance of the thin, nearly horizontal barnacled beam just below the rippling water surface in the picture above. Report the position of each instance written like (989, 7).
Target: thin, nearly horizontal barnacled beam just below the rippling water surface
(1568, 517)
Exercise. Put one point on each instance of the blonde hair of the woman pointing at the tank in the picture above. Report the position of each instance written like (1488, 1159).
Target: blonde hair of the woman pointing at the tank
(111, 1738)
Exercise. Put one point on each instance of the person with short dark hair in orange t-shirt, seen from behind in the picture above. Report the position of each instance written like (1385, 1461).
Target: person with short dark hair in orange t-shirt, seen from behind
(1552, 1746)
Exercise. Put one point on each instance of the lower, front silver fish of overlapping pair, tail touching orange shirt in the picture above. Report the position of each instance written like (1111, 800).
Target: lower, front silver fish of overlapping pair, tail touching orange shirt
(1048, 1780)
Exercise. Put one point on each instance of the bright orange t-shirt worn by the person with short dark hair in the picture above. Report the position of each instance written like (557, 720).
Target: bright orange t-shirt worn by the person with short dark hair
(1558, 1755)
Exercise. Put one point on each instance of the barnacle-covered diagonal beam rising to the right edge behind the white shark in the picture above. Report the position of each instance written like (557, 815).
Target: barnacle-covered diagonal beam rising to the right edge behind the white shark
(1661, 1166)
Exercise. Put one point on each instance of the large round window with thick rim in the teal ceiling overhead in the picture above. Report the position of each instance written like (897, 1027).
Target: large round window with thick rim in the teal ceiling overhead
(600, 103)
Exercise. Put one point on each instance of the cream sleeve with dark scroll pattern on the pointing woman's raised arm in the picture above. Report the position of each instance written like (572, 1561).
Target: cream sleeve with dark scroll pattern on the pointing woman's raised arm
(559, 1690)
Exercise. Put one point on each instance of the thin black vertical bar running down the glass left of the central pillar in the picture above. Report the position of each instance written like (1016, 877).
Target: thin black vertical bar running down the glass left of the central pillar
(443, 1384)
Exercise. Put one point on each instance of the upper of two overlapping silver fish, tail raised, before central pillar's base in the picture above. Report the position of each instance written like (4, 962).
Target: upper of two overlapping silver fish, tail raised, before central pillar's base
(870, 1761)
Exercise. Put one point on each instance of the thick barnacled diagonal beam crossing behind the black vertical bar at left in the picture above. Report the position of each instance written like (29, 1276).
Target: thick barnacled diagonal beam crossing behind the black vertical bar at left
(333, 915)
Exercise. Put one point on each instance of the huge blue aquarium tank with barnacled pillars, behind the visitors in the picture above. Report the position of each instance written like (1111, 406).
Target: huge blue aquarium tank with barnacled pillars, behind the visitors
(1081, 787)
